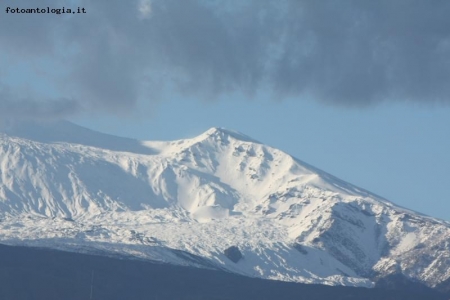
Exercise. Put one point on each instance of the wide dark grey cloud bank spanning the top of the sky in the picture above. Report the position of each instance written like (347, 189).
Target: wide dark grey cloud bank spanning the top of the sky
(351, 52)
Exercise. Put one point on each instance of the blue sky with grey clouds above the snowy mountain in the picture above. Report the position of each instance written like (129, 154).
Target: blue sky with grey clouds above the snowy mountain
(359, 89)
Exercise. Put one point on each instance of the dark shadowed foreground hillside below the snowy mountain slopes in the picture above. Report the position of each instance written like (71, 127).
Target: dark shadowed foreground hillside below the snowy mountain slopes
(30, 273)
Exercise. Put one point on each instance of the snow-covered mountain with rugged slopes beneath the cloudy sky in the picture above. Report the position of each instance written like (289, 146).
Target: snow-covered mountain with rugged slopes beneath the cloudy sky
(220, 200)
